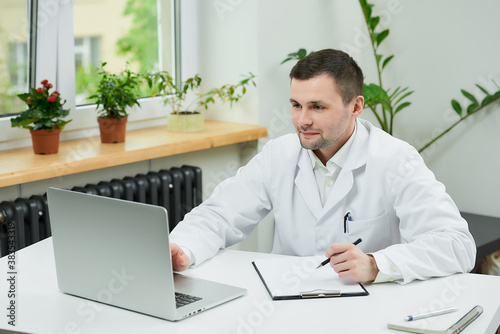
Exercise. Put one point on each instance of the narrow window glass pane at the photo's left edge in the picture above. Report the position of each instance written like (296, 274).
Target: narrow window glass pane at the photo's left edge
(13, 55)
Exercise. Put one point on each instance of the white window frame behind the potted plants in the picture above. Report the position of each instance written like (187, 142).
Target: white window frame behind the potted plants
(152, 112)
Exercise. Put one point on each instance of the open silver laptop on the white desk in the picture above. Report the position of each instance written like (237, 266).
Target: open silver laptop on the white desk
(117, 252)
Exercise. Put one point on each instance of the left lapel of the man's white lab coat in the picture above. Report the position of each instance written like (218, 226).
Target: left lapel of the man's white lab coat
(306, 183)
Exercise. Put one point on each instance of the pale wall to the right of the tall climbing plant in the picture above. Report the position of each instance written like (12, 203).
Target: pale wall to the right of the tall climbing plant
(442, 47)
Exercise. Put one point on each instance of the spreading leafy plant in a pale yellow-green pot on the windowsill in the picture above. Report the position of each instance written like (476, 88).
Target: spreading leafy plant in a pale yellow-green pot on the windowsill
(186, 101)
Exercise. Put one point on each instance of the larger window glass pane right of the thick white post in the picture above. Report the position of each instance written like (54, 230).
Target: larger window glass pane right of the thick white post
(122, 33)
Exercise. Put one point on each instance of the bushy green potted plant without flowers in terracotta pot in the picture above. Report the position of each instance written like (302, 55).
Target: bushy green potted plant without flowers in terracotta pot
(115, 93)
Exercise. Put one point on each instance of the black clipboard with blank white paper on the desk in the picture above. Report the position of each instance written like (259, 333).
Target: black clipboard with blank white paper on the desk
(288, 278)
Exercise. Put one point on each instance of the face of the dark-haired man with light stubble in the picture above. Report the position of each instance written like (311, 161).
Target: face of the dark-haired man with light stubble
(319, 116)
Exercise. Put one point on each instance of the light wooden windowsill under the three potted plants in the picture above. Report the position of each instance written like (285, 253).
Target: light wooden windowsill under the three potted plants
(22, 165)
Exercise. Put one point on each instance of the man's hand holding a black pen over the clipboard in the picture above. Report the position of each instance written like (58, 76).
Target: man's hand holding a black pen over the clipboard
(350, 262)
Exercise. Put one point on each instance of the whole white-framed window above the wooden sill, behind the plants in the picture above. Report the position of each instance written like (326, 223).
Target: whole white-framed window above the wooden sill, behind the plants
(72, 39)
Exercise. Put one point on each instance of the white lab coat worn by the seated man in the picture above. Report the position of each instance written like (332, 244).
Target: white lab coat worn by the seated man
(397, 207)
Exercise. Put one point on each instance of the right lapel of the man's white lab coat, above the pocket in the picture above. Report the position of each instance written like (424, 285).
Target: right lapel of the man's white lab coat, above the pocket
(345, 180)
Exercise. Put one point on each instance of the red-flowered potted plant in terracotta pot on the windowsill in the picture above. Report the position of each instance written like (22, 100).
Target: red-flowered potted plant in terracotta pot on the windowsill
(44, 118)
